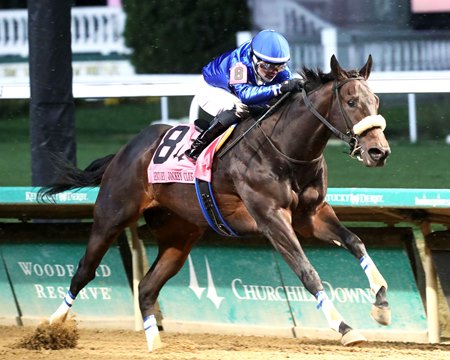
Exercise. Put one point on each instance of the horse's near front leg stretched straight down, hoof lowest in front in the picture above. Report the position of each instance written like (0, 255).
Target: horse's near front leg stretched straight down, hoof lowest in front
(275, 224)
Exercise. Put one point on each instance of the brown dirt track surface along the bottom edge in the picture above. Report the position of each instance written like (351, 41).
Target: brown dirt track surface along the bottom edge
(123, 345)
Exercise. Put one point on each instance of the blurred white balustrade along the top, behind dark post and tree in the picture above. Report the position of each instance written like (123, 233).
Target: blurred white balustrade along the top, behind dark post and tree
(99, 29)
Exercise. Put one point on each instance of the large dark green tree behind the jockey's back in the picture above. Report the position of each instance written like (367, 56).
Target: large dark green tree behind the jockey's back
(178, 36)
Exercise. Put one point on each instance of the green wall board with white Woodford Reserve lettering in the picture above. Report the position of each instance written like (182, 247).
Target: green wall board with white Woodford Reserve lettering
(41, 266)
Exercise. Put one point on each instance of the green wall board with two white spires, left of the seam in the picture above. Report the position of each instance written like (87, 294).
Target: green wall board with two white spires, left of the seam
(226, 285)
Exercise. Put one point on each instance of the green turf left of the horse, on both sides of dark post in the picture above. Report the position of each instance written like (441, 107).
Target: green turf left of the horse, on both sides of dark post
(100, 130)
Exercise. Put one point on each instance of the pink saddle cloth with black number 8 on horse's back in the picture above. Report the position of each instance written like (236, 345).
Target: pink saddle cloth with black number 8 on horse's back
(170, 165)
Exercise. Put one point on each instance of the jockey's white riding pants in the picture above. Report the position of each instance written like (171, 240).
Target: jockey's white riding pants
(215, 100)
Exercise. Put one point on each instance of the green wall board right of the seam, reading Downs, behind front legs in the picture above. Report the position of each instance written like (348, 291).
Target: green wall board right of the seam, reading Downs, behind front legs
(346, 284)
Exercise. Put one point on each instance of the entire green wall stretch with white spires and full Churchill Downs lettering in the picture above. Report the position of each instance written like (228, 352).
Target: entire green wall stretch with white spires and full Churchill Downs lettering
(252, 285)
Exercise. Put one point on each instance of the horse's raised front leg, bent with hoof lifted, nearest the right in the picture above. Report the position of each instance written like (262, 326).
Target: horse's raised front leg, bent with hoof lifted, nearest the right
(324, 225)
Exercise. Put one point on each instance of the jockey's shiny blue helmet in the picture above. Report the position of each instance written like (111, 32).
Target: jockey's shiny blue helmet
(270, 46)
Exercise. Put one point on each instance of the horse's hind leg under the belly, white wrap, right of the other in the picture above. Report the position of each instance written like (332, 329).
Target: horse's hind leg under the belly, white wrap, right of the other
(175, 238)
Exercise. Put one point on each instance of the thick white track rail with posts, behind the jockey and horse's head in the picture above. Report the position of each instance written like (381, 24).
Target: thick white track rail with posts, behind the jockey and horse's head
(164, 86)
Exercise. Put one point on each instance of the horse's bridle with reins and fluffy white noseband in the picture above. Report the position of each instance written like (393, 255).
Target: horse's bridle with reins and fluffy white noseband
(351, 137)
